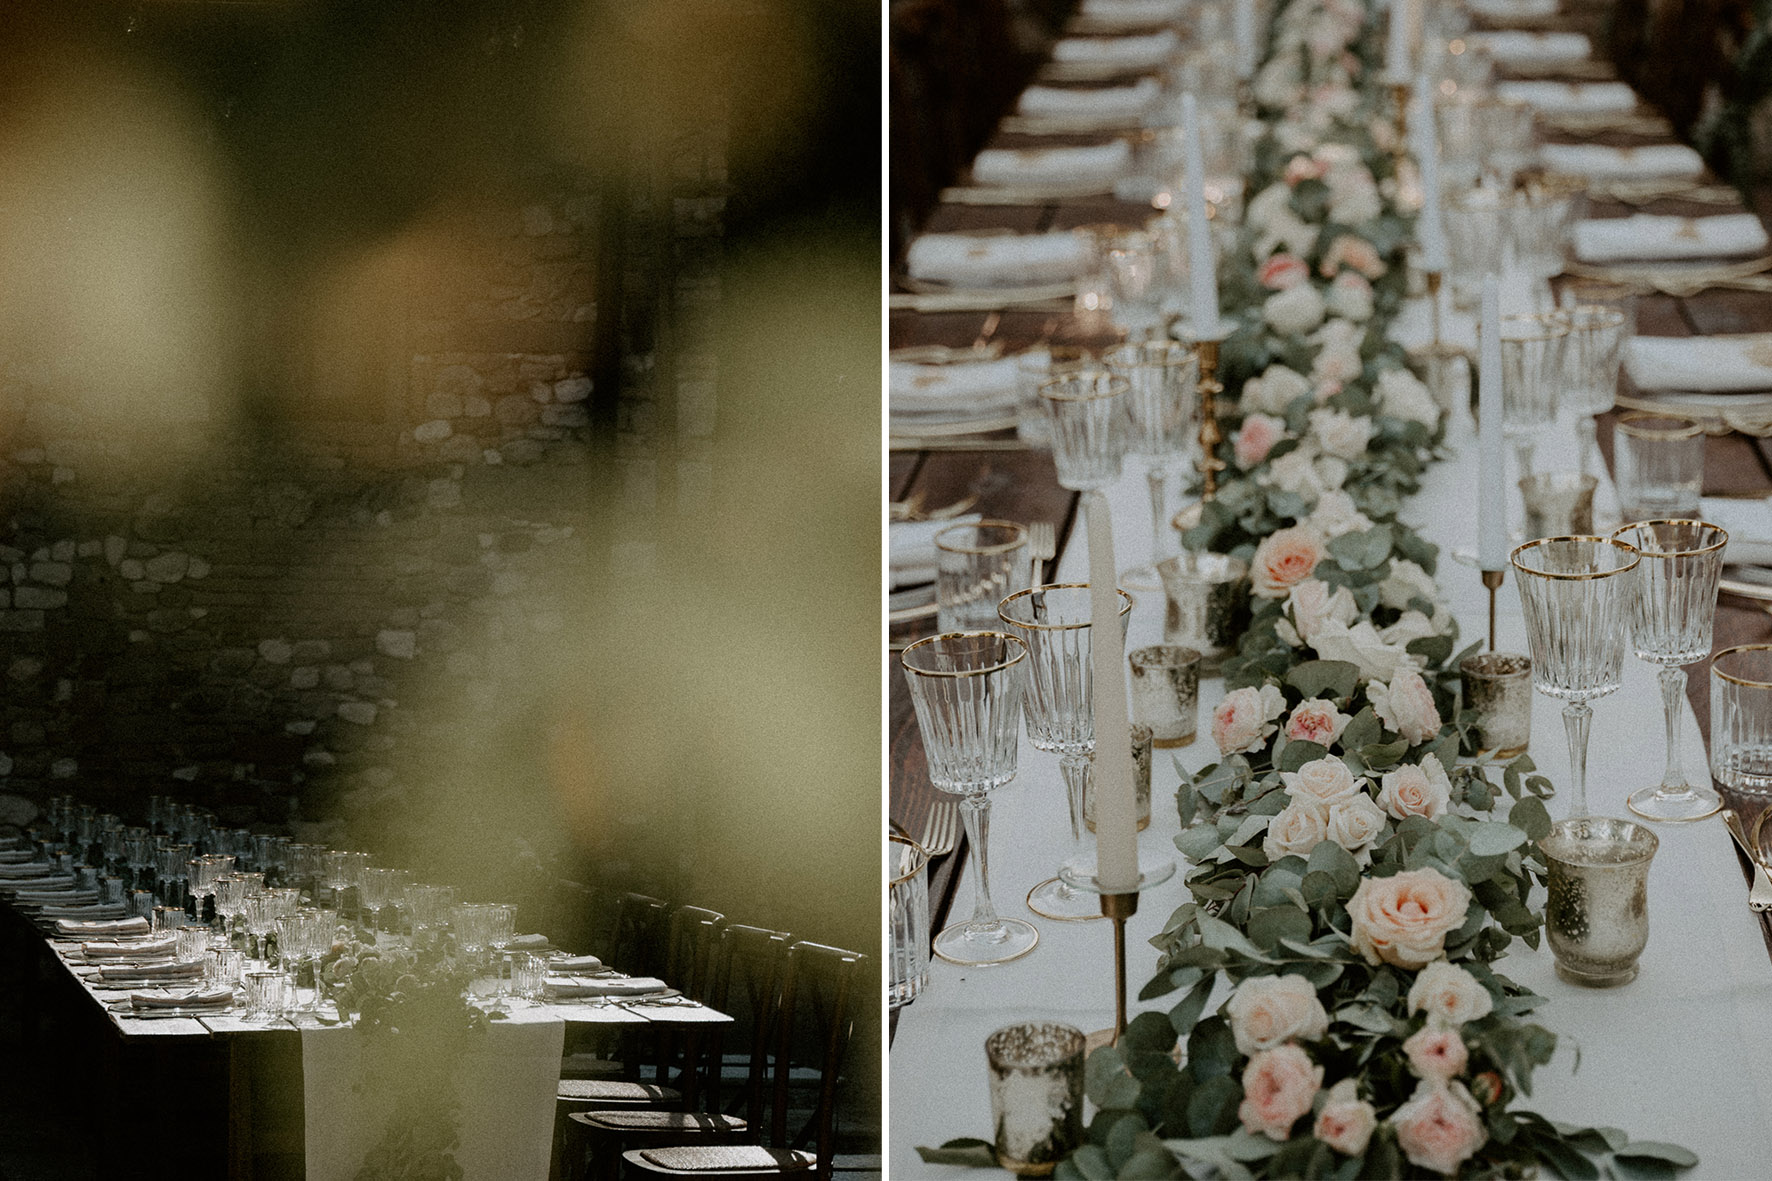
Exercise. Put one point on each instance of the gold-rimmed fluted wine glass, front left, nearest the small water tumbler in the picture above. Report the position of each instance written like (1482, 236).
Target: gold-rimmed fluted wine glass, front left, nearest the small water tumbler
(967, 691)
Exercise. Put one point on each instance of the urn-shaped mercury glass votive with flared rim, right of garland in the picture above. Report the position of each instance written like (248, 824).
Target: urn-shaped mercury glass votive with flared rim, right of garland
(1597, 918)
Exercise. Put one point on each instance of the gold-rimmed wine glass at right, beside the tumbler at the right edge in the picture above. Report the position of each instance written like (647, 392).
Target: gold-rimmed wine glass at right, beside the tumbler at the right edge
(1672, 627)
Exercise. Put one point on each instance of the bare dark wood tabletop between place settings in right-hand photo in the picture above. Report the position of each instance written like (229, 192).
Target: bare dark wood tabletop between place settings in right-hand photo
(1020, 485)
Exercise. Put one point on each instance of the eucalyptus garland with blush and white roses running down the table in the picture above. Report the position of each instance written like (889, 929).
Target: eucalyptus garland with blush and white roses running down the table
(1351, 880)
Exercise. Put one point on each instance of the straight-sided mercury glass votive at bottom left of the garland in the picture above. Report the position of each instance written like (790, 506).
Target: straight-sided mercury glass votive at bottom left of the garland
(1036, 1095)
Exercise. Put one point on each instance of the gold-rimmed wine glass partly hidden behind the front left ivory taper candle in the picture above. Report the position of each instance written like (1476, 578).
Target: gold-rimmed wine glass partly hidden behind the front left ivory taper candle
(1053, 622)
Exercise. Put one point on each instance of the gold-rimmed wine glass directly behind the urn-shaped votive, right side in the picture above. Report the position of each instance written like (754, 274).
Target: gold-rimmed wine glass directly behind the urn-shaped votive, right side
(1578, 595)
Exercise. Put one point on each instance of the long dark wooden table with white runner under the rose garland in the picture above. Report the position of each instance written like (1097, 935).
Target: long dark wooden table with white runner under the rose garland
(1675, 1056)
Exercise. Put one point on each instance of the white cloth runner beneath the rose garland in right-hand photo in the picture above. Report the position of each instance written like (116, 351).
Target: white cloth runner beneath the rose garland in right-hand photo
(1681, 1054)
